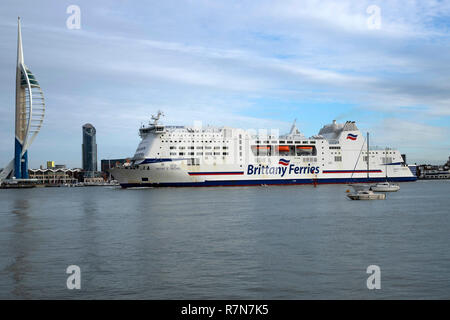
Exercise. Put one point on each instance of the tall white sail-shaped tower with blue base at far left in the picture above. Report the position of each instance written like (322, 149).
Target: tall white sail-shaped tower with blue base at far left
(30, 110)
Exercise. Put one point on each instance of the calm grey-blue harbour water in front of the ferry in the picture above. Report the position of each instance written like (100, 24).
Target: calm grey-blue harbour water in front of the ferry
(286, 242)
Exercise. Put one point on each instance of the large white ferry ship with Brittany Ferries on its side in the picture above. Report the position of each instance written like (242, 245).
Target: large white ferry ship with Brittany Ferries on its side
(180, 156)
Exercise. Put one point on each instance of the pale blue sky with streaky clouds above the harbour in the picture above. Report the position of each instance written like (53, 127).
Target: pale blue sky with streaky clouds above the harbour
(246, 64)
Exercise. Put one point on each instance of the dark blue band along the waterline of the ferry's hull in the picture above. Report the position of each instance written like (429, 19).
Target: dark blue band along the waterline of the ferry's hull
(233, 183)
